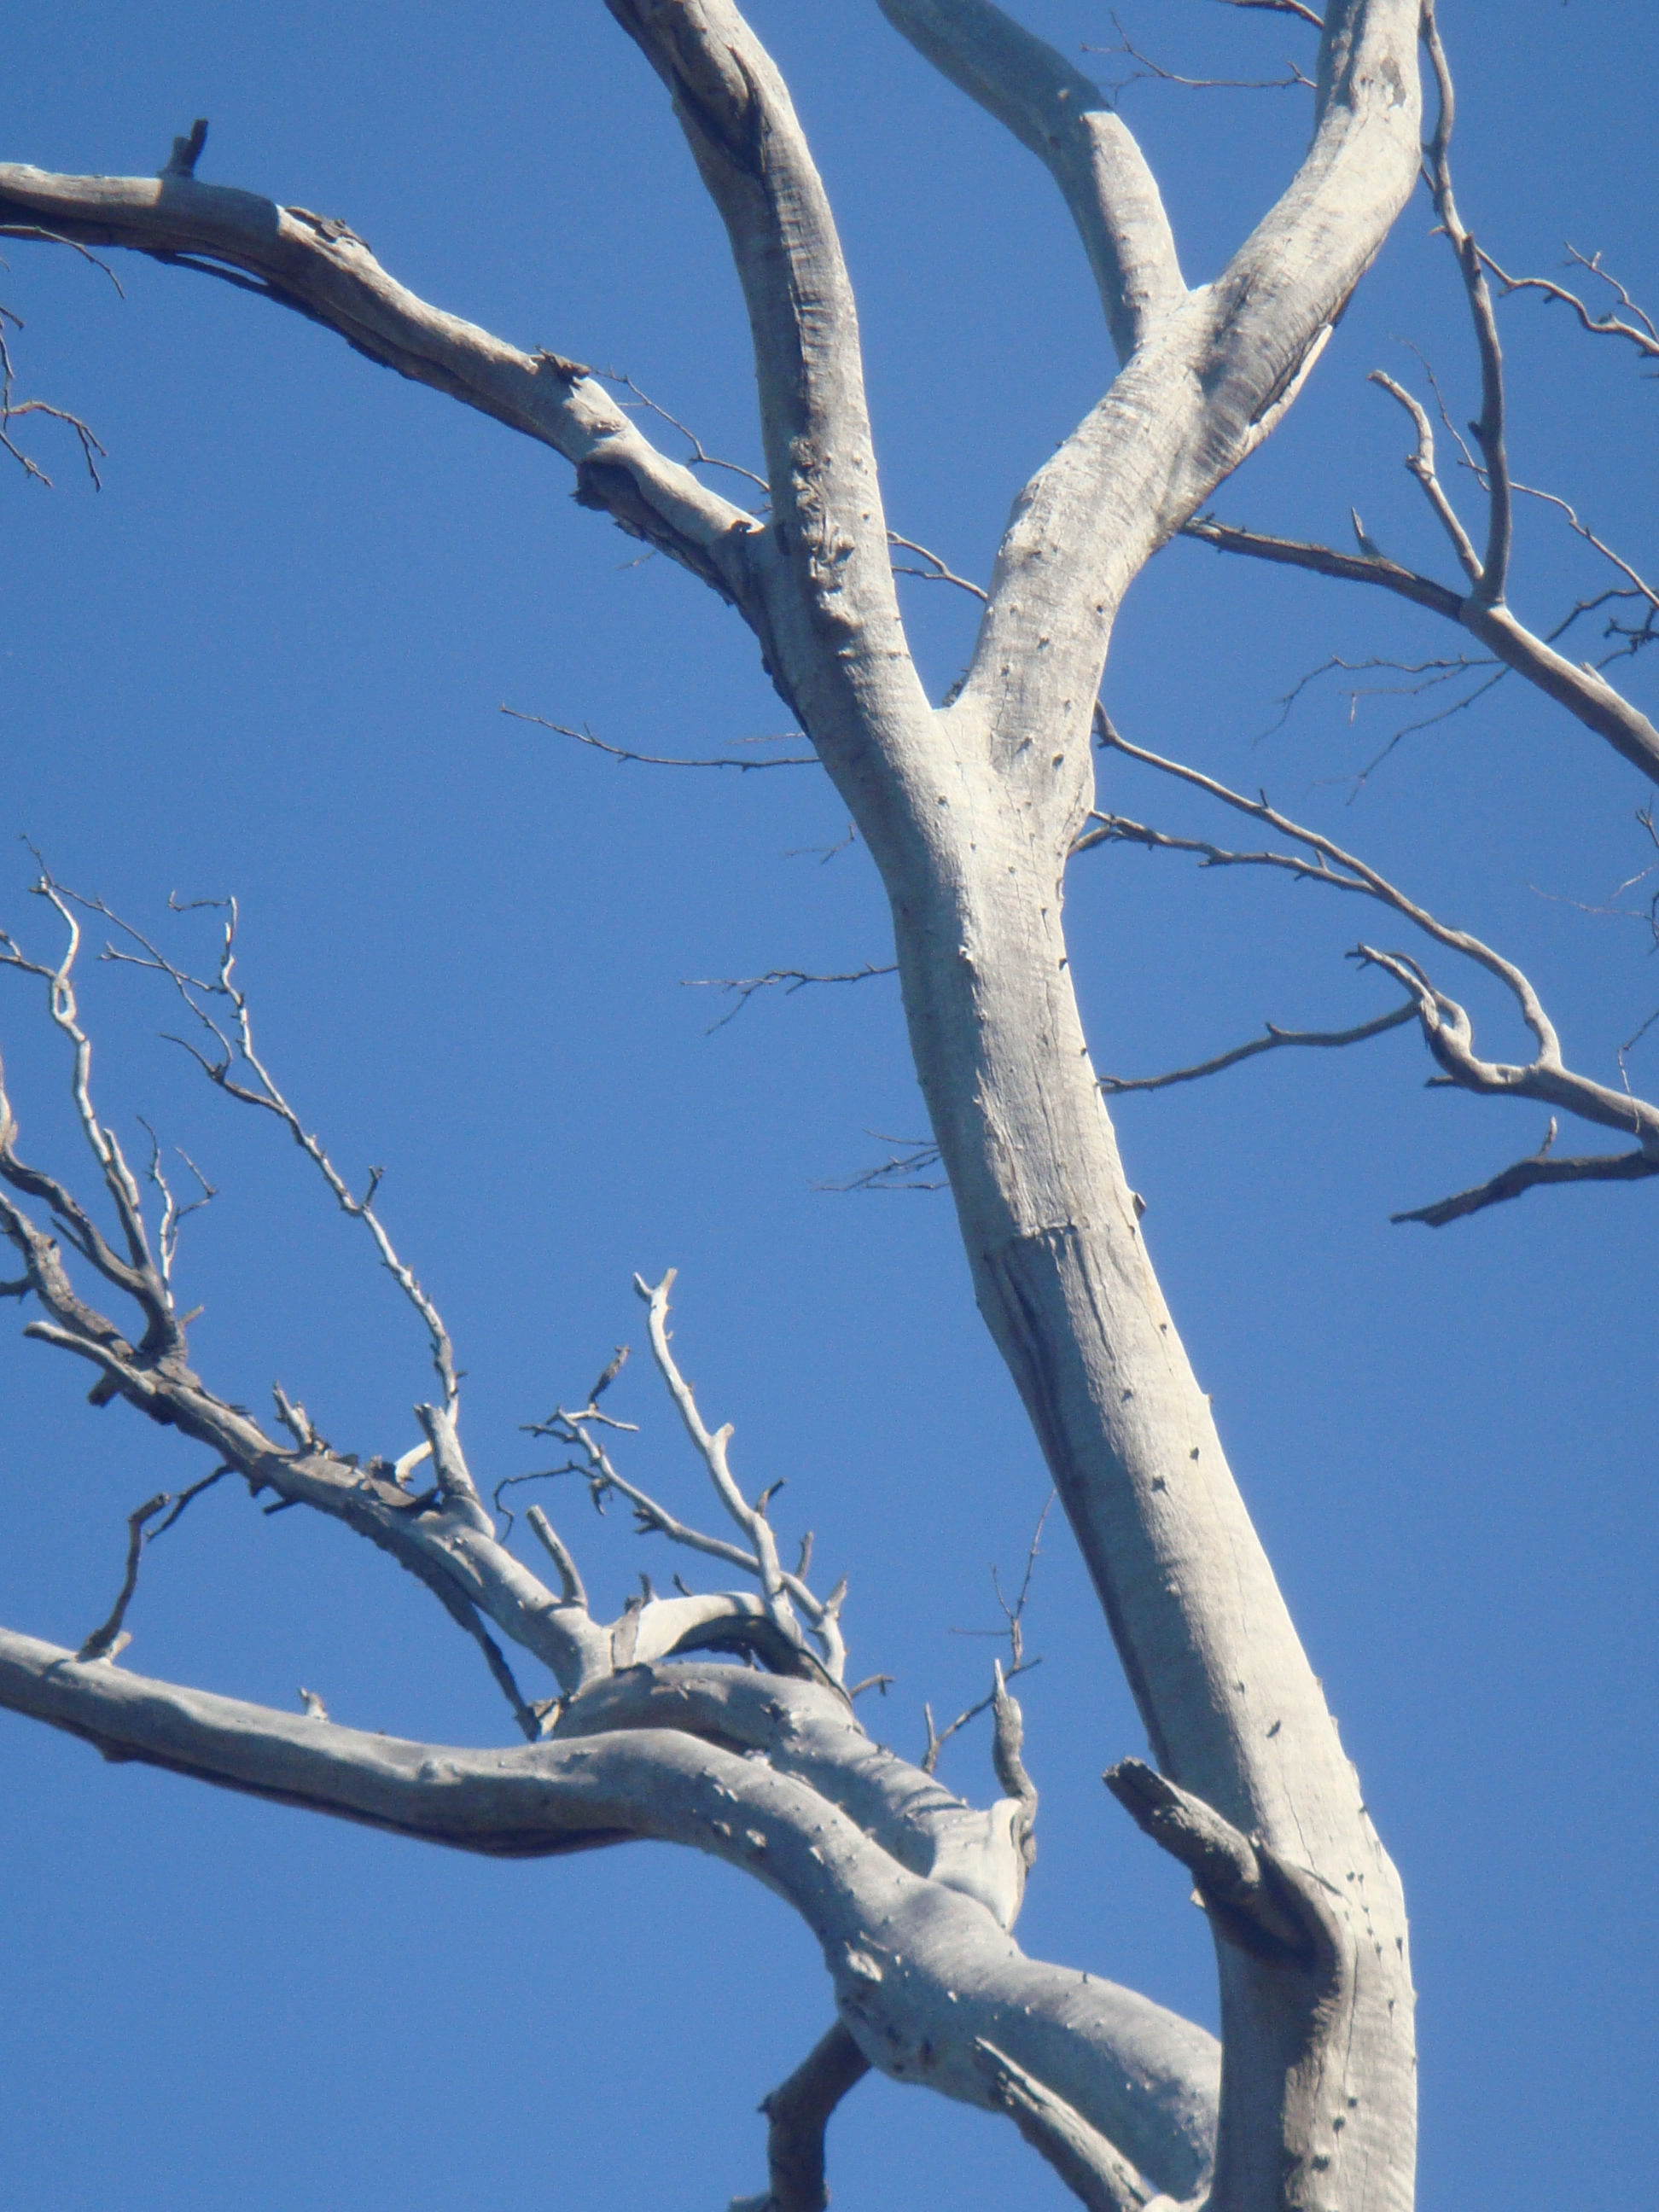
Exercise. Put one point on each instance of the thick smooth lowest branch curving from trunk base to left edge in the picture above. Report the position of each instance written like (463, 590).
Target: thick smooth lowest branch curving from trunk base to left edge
(921, 1972)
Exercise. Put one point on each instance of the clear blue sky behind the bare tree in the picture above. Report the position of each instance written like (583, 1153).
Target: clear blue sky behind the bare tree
(269, 658)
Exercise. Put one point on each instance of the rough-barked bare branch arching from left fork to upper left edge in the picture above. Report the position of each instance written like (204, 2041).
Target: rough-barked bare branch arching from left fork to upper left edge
(326, 273)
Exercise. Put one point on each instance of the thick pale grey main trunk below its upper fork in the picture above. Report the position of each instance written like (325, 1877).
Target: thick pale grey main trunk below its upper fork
(1319, 2074)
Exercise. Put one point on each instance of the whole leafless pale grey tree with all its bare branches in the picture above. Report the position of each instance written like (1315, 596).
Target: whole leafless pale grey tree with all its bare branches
(724, 1720)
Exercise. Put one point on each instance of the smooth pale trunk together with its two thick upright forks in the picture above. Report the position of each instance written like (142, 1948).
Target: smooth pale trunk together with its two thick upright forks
(970, 815)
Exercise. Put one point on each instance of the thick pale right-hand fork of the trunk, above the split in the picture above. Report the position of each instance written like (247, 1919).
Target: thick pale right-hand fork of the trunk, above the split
(1189, 410)
